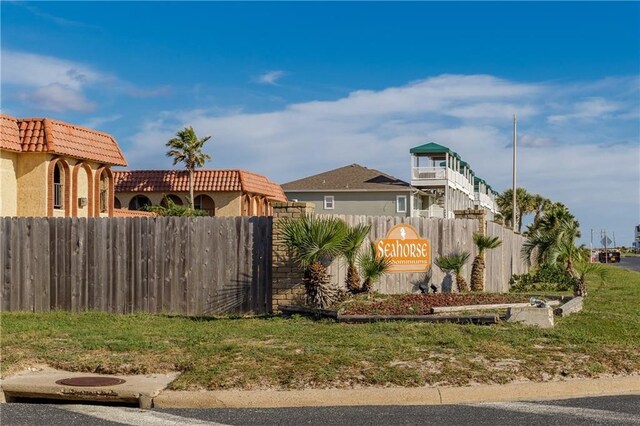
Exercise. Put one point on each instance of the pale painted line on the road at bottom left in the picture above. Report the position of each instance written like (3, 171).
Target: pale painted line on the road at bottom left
(135, 416)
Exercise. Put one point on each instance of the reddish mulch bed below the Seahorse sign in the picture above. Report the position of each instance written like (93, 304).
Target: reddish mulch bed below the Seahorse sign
(421, 304)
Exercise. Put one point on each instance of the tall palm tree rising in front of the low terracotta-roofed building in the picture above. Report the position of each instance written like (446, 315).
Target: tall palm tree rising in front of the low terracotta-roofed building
(187, 148)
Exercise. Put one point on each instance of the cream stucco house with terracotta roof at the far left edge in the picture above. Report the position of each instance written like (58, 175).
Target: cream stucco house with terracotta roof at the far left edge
(52, 168)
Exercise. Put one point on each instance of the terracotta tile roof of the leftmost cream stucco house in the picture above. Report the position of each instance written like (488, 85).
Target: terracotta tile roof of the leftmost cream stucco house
(57, 137)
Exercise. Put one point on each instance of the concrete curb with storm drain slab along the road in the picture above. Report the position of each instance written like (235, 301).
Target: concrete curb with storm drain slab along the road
(148, 391)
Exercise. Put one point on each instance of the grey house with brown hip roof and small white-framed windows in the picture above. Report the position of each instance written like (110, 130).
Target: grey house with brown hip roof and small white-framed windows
(353, 190)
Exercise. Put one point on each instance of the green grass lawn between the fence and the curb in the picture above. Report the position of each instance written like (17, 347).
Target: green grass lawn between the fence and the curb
(276, 353)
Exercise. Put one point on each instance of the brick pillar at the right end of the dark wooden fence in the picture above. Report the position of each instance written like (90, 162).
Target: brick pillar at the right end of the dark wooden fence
(287, 277)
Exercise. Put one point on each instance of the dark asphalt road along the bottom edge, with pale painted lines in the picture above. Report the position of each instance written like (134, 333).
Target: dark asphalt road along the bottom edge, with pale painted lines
(616, 410)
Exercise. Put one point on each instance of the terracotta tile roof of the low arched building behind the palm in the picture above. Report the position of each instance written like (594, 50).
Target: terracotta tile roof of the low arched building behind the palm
(203, 181)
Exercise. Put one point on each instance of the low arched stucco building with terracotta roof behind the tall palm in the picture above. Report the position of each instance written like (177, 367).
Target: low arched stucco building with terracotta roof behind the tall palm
(218, 192)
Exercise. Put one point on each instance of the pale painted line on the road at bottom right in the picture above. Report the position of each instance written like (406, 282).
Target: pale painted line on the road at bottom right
(587, 413)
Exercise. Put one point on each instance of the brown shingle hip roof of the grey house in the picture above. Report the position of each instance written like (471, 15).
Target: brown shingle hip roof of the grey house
(348, 178)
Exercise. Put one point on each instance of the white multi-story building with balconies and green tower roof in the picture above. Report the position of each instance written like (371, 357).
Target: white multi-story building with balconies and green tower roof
(446, 183)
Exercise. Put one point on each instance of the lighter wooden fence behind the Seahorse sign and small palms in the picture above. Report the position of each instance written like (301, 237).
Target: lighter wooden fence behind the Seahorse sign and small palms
(445, 236)
